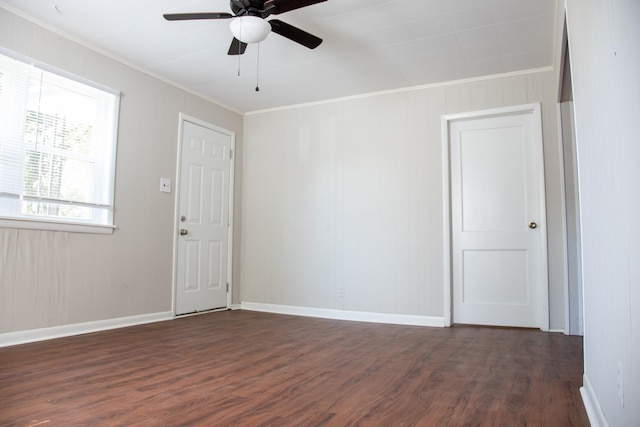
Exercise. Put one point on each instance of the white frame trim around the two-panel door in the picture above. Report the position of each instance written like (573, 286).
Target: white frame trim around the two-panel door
(446, 120)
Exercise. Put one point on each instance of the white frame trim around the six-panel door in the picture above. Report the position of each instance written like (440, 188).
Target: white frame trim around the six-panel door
(182, 118)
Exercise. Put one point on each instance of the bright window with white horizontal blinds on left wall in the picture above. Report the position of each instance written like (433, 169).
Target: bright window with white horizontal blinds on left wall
(57, 146)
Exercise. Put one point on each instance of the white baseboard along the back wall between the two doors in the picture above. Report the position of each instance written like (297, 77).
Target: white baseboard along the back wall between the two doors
(358, 316)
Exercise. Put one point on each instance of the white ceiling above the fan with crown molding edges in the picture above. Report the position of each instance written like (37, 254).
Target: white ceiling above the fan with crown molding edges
(369, 45)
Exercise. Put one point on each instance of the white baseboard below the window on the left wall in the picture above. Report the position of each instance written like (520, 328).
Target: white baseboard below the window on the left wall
(22, 337)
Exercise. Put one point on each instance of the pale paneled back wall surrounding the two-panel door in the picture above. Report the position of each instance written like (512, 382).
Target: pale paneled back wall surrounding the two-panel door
(348, 195)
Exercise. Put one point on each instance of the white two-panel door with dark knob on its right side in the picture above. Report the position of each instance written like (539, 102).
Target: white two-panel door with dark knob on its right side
(498, 220)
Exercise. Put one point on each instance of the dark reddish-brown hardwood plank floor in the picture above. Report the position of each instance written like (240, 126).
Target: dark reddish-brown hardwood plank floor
(245, 368)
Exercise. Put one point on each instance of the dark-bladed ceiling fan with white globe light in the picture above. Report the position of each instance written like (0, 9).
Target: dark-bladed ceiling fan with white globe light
(249, 24)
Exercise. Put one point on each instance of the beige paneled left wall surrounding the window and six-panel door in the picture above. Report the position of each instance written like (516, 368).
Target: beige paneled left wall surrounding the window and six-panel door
(54, 278)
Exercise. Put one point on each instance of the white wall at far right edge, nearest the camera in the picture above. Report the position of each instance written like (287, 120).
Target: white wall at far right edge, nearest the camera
(604, 39)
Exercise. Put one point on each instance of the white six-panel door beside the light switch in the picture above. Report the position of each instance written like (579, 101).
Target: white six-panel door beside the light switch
(203, 219)
